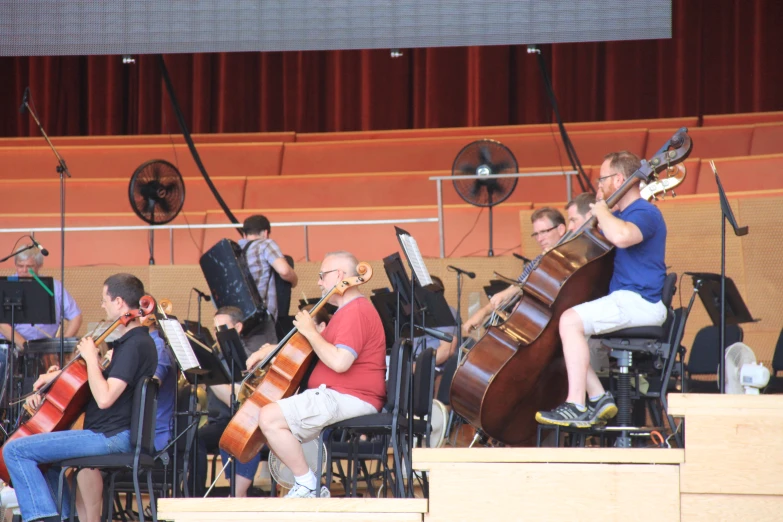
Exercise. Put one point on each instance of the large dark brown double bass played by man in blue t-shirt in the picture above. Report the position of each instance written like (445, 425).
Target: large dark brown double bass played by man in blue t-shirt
(517, 368)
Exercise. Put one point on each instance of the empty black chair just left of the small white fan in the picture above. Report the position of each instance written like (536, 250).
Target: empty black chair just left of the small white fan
(705, 356)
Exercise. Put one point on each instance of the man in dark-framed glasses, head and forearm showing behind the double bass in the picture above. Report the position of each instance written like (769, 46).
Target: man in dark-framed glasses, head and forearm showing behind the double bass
(548, 227)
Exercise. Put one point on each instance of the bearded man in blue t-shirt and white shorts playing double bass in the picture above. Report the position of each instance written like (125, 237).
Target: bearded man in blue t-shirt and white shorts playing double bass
(637, 230)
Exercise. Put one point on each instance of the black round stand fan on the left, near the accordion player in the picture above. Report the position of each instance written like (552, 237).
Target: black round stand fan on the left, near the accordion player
(157, 193)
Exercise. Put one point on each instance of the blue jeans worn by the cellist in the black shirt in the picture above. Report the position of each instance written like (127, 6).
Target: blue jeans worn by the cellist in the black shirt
(22, 457)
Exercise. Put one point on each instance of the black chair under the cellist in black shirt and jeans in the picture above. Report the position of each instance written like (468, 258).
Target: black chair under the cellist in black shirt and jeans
(141, 458)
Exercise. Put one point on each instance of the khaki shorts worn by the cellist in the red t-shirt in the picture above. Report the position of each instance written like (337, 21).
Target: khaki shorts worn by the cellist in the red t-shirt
(307, 413)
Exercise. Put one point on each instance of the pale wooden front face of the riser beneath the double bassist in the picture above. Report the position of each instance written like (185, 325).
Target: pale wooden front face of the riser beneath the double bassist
(552, 491)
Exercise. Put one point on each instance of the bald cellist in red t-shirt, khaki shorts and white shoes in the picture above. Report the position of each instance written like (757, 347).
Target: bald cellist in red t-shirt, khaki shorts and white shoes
(347, 381)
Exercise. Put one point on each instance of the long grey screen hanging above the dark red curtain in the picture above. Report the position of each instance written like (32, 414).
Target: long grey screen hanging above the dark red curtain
(84, 27)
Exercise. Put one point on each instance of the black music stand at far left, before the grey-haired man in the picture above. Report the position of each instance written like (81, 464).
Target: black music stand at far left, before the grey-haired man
(24, 301)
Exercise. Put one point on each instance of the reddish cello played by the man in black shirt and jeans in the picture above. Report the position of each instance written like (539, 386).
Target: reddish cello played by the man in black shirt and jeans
(65, 396)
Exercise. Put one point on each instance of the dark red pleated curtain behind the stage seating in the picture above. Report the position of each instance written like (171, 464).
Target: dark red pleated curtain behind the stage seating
(724, 57)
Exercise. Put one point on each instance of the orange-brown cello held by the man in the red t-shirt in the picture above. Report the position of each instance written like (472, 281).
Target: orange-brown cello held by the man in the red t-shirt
(293, 357)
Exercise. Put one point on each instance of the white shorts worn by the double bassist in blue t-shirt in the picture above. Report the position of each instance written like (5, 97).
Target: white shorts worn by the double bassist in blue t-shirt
(618, 310)
